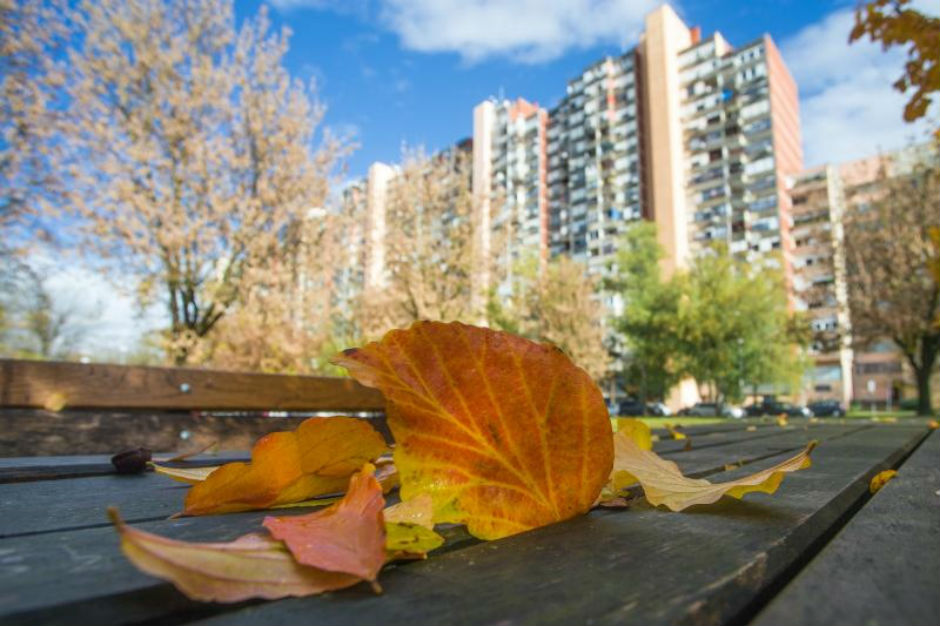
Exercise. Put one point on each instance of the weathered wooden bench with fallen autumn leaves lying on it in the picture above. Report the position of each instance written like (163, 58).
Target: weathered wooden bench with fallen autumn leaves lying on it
(823, 550)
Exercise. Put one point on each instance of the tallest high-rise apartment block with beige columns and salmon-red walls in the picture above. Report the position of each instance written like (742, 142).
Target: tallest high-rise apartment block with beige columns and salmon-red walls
(690, 133)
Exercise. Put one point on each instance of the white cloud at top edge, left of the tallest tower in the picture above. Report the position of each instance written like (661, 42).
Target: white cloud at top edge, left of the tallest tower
(527, 31)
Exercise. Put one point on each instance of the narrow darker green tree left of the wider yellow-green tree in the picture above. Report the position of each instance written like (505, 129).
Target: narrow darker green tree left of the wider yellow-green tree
(649, 321)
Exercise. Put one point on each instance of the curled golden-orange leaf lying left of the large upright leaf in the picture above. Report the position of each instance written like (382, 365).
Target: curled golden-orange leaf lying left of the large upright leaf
(316, 459)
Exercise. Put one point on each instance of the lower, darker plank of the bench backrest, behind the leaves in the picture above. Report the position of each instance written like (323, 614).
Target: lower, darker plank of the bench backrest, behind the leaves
(31, 432)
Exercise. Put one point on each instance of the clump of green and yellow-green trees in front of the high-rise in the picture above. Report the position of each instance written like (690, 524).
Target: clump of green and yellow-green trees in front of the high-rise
(724, 322)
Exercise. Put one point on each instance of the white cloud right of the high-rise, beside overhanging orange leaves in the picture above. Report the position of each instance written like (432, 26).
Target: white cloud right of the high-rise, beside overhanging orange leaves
(848, 107)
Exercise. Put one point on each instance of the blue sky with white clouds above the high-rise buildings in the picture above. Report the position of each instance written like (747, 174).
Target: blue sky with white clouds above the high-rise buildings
(410, 71)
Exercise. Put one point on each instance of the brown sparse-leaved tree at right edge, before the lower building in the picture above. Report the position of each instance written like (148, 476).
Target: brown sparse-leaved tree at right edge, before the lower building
(892, 266)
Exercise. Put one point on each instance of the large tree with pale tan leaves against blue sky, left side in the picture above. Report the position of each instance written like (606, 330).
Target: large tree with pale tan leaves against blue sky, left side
(192, 152)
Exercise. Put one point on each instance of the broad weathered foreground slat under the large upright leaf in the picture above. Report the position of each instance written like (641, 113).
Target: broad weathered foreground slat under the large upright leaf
(644, 566)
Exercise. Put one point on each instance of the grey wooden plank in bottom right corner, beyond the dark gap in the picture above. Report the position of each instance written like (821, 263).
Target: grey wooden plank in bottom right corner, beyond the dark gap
(883, 568)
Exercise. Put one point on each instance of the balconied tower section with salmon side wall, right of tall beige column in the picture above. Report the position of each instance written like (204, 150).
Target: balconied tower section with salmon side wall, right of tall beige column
(742, 133)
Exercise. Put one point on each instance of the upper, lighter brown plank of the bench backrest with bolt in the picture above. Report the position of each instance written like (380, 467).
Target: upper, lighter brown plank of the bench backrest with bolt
(38, 384)
